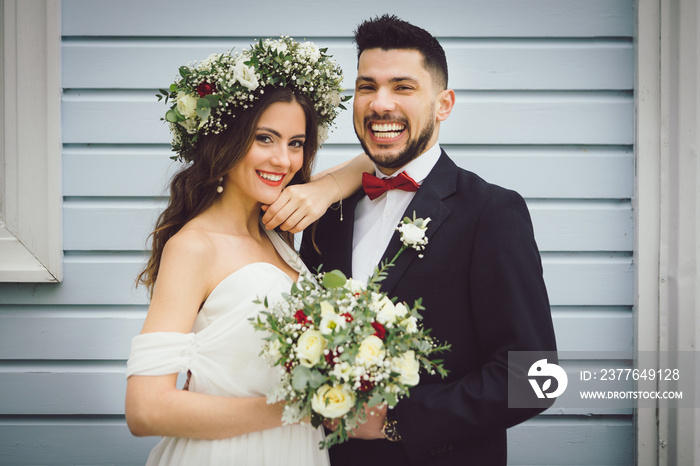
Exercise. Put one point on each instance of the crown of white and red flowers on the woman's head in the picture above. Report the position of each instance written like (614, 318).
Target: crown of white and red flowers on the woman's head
(225, 83)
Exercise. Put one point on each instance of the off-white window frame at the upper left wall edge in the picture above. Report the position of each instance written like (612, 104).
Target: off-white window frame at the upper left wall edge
(30, 153)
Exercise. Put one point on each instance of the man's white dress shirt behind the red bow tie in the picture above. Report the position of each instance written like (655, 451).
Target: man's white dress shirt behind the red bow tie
(376, 221)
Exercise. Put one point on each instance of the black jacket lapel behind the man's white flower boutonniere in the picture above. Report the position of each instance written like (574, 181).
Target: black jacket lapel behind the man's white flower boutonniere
(428, 202)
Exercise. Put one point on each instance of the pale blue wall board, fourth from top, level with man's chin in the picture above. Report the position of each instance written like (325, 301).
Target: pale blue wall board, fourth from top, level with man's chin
(553, 172)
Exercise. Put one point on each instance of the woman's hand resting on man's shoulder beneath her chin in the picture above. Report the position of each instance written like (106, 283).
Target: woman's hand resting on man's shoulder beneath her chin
(299, 205)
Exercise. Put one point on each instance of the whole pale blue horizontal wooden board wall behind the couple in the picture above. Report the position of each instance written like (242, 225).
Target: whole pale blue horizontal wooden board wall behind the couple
(544, 106)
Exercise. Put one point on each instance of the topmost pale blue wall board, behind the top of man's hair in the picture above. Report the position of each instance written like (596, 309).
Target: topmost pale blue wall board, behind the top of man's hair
(444, 18)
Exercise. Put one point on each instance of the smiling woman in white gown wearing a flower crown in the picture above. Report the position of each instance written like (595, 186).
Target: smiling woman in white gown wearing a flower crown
(244, 140)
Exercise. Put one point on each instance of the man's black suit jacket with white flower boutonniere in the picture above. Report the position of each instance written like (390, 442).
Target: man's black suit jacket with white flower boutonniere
(483, 292)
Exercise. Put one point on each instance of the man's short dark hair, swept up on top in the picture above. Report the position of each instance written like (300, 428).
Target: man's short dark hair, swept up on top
(388, 32)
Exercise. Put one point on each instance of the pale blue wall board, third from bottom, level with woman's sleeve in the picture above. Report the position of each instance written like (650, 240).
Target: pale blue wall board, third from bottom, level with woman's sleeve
(33, 333)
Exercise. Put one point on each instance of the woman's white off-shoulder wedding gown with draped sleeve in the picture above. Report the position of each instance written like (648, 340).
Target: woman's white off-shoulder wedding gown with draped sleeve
(222, 354)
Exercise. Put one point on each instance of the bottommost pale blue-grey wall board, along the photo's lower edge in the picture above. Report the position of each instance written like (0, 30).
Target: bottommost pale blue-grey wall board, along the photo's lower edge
(603, 441)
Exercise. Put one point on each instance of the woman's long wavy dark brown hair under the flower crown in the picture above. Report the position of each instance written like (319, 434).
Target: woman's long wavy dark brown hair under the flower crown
(193, 189)
